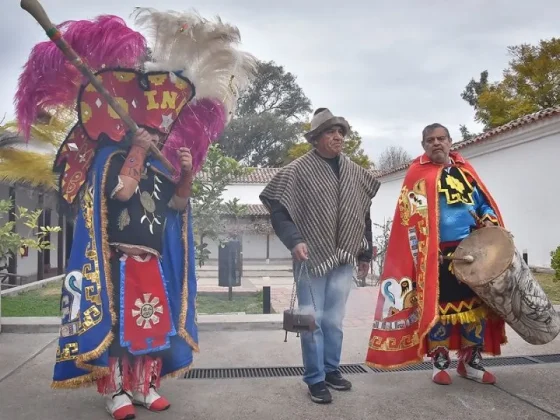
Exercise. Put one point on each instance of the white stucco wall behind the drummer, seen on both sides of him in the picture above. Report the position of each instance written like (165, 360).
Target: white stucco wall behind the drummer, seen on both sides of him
(520, 170)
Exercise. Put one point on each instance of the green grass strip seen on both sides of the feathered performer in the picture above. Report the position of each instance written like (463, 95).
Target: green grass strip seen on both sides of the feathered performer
(46, 302)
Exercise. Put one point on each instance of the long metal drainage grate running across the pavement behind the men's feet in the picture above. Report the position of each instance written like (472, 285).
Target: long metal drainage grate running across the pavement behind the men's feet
(352, 369)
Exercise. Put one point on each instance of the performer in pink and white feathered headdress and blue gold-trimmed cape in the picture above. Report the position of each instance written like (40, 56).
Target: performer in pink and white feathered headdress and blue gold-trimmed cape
(128, 299)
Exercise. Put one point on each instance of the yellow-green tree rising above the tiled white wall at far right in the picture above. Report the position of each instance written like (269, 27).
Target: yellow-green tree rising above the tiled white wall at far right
(530, 83)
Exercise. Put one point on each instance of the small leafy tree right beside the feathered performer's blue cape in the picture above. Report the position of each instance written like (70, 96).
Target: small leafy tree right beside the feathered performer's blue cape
(208, 205)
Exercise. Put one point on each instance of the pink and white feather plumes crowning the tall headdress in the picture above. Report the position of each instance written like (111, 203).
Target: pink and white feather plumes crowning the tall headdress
(200, 50)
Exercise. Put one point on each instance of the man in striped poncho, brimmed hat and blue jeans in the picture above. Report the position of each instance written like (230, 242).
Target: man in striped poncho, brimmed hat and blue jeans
(320, 209)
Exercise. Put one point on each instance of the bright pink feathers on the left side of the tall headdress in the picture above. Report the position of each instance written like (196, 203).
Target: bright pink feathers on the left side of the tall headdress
(50, 83)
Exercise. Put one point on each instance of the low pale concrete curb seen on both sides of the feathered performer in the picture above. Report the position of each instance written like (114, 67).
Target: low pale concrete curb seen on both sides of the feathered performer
(256, 322)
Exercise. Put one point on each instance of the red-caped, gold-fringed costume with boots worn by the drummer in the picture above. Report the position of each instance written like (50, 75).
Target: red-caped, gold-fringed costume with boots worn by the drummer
(423, 310)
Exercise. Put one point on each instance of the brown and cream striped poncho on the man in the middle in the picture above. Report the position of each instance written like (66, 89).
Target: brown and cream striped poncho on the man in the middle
(329, 212)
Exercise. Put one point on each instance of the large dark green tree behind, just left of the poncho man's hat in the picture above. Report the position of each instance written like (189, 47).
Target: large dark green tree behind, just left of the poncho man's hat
(268, 118)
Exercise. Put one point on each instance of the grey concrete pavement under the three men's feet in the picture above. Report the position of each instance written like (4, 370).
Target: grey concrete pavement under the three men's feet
(527, 392)
